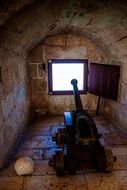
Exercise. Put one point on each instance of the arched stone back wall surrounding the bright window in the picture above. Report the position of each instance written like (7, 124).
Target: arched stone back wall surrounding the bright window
(62, 46)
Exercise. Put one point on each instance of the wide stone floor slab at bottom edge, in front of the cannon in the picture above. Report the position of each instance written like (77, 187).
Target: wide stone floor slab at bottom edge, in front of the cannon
(54, 182)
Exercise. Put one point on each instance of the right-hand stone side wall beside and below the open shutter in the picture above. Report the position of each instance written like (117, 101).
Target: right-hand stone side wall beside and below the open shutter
(117, 110)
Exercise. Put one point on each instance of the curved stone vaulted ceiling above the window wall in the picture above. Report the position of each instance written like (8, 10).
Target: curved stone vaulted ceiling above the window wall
(26, 23)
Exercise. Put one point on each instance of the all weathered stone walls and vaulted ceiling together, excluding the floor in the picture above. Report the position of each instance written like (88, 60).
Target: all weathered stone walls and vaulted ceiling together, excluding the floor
(30, 27)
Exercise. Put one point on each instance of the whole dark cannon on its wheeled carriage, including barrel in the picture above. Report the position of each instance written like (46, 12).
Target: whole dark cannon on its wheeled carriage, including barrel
(79, 144)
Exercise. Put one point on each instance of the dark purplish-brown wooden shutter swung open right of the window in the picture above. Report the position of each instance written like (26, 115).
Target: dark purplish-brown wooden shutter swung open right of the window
(103, 80)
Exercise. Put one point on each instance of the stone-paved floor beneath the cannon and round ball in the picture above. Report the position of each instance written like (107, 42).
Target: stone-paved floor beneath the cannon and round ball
(38, 145)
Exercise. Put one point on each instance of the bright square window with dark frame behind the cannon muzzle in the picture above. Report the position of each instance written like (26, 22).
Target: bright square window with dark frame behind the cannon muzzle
(61, 72)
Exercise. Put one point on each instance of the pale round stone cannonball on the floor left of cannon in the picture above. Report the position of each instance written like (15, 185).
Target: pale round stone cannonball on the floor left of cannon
(24, 166)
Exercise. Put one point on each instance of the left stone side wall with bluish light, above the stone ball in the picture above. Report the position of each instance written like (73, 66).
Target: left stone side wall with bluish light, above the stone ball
(14, 102)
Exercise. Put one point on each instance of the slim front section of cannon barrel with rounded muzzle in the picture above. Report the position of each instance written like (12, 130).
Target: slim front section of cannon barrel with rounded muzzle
(77, 98)
